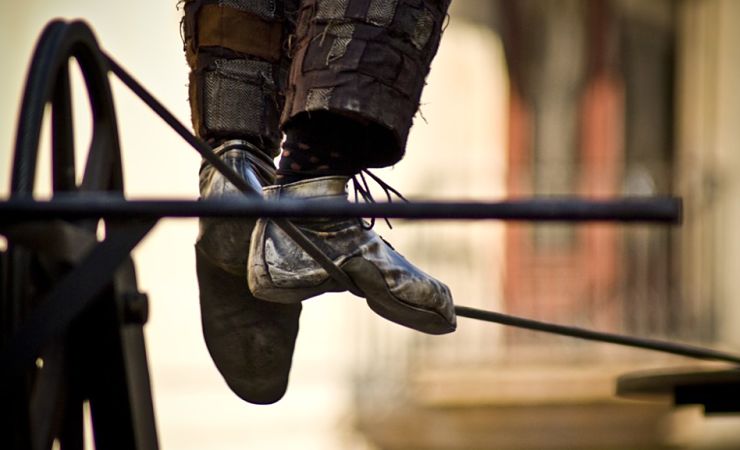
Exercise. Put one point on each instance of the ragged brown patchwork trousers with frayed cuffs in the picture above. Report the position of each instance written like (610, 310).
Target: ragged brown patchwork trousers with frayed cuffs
(258, 64)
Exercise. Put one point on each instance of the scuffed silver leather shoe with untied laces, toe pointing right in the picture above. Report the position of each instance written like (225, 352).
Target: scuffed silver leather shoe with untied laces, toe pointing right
(280, 271)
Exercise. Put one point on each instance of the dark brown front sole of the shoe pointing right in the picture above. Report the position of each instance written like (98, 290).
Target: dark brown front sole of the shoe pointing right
(369, 279)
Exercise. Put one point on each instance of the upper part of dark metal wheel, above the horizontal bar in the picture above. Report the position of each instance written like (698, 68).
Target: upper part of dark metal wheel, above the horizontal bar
(48, 82)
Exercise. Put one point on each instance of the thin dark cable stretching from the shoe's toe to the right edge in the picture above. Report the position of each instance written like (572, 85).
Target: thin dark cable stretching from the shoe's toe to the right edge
(611, 338)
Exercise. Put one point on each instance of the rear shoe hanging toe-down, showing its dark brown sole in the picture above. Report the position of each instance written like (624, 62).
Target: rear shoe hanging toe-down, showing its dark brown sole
(250, 341)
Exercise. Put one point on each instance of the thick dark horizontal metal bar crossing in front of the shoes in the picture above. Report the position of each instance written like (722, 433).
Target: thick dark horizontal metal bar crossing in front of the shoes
(655, 210)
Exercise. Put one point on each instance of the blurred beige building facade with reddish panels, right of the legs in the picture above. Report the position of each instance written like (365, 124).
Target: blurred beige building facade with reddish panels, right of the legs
(575, 97)
